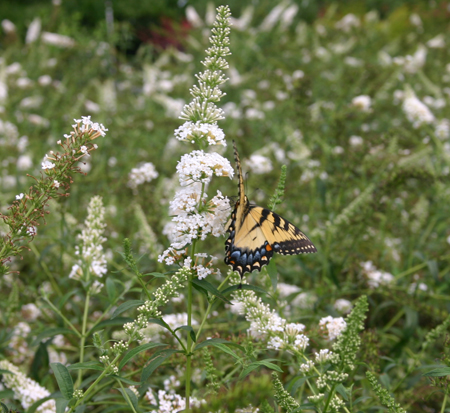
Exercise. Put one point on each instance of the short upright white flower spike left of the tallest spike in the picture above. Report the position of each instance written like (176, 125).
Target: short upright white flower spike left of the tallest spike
(92, 259)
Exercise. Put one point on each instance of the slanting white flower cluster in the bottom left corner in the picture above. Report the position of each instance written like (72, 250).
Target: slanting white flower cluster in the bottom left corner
(26, 390)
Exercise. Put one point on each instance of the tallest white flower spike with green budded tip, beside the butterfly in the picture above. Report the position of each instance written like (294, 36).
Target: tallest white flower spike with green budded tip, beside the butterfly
(195, 216)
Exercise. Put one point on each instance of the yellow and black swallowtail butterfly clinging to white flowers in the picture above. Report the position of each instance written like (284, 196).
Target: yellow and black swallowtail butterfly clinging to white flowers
(256, 233)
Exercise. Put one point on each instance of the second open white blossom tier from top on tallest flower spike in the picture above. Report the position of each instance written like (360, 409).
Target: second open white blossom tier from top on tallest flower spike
(199, 166)
